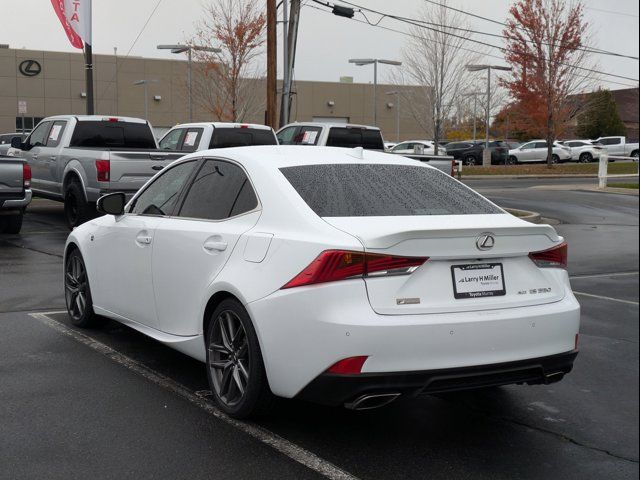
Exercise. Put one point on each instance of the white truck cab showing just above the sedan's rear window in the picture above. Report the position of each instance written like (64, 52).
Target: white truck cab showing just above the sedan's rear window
(331, 135)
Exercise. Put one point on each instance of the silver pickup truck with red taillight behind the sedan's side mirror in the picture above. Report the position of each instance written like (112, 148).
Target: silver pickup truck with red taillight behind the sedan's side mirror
(77, 159)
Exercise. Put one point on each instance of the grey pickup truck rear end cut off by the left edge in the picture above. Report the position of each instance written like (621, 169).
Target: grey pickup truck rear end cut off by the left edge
(15, 193)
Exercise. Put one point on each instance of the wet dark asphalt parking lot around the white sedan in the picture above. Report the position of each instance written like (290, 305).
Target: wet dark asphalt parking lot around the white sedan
(110, 403)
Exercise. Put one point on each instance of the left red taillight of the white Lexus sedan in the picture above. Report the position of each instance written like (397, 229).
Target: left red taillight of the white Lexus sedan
(334, 265)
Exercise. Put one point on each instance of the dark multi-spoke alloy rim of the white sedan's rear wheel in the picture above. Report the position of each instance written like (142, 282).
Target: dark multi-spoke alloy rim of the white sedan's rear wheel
(229, 358)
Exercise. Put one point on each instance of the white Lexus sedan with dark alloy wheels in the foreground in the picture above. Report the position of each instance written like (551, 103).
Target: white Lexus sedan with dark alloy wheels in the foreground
(344, 277)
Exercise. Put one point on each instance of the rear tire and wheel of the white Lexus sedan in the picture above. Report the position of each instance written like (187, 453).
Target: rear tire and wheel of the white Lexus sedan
(235, 368)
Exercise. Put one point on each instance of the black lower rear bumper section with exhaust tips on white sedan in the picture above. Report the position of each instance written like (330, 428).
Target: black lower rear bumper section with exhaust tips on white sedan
(334, 390)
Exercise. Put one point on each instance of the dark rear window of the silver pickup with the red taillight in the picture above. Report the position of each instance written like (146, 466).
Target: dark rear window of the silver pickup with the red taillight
(106, 134)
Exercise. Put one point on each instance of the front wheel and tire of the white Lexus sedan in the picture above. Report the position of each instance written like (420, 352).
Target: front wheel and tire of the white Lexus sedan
(77, 292)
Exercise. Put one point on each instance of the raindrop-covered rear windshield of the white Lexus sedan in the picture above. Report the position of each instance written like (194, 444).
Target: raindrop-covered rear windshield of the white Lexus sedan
(371, 190)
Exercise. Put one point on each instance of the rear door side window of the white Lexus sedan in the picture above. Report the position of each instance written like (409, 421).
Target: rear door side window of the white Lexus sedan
(220, 190)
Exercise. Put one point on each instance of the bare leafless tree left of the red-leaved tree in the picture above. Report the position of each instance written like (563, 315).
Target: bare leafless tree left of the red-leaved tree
(436, 57)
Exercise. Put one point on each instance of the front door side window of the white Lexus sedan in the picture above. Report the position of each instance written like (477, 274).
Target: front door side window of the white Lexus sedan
(161, 196)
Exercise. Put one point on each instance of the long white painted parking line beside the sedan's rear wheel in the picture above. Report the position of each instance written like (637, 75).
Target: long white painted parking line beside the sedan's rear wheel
(285, 447)
